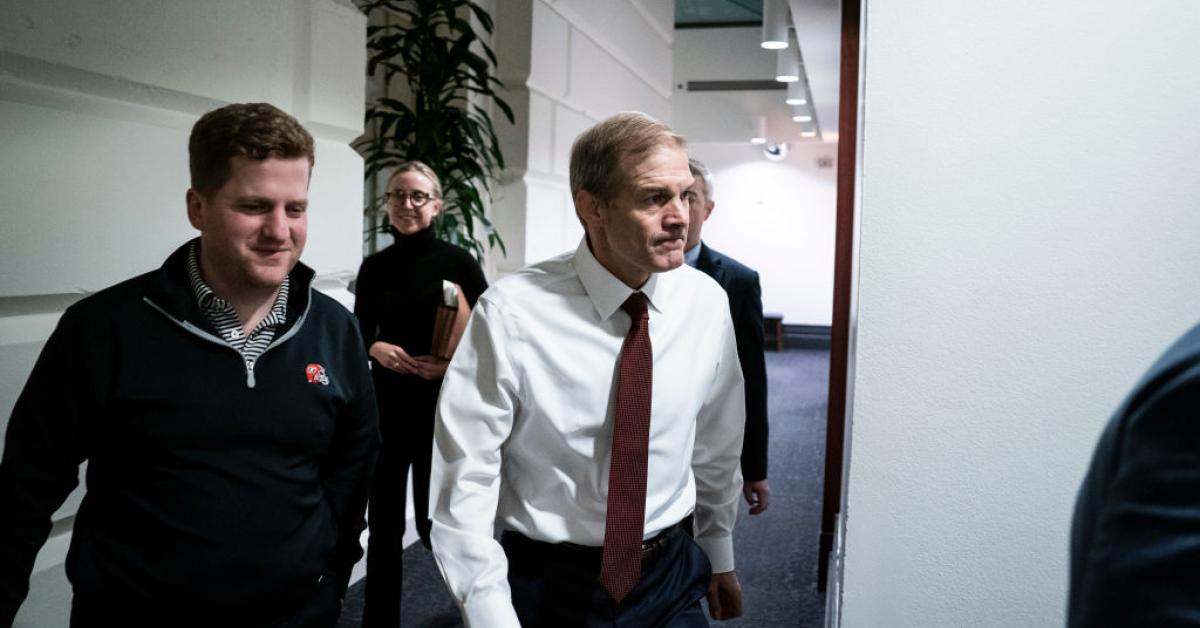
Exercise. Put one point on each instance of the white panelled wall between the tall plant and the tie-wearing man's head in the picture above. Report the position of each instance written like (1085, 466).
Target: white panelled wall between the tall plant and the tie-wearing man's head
(567, 65)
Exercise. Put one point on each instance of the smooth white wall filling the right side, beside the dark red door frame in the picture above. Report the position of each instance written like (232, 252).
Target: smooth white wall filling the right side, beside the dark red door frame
(1029, 247)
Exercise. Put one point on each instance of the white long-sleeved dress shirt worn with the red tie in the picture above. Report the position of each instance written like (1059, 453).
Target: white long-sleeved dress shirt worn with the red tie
(525, 421)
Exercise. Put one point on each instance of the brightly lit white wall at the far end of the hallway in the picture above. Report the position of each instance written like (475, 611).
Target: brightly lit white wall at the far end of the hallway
(778, 219)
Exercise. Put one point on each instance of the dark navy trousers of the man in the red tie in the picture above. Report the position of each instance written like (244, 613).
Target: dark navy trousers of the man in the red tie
(560, 588)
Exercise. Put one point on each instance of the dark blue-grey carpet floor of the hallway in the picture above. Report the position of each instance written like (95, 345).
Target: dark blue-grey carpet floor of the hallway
(777, 552)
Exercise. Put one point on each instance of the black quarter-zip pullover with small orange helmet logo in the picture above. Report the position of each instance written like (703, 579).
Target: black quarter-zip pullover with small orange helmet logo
(214, 491)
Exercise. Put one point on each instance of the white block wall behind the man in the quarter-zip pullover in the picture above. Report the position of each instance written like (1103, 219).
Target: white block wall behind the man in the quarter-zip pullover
(97, 104)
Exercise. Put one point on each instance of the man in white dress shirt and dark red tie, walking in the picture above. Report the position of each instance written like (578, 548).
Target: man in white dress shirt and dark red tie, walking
(526, 433)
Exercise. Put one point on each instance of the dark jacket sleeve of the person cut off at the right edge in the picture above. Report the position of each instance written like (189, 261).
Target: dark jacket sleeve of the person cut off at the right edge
(1136, 541)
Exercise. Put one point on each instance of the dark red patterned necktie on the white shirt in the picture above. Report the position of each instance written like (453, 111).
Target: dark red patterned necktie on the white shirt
(622, 564)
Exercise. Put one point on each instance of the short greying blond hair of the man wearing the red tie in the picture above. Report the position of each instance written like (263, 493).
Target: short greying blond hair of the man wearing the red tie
(598, 154)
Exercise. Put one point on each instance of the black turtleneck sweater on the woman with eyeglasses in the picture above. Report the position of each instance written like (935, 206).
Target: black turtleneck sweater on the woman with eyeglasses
(399, 290)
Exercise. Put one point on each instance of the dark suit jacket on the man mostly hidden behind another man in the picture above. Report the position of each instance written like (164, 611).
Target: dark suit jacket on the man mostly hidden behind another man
(746, 306)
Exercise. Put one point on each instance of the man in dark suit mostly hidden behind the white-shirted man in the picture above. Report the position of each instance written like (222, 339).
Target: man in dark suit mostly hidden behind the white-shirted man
(742, 286)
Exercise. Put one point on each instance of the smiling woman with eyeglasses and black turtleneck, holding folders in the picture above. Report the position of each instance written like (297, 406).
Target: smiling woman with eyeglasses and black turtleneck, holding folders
(398, 295)
